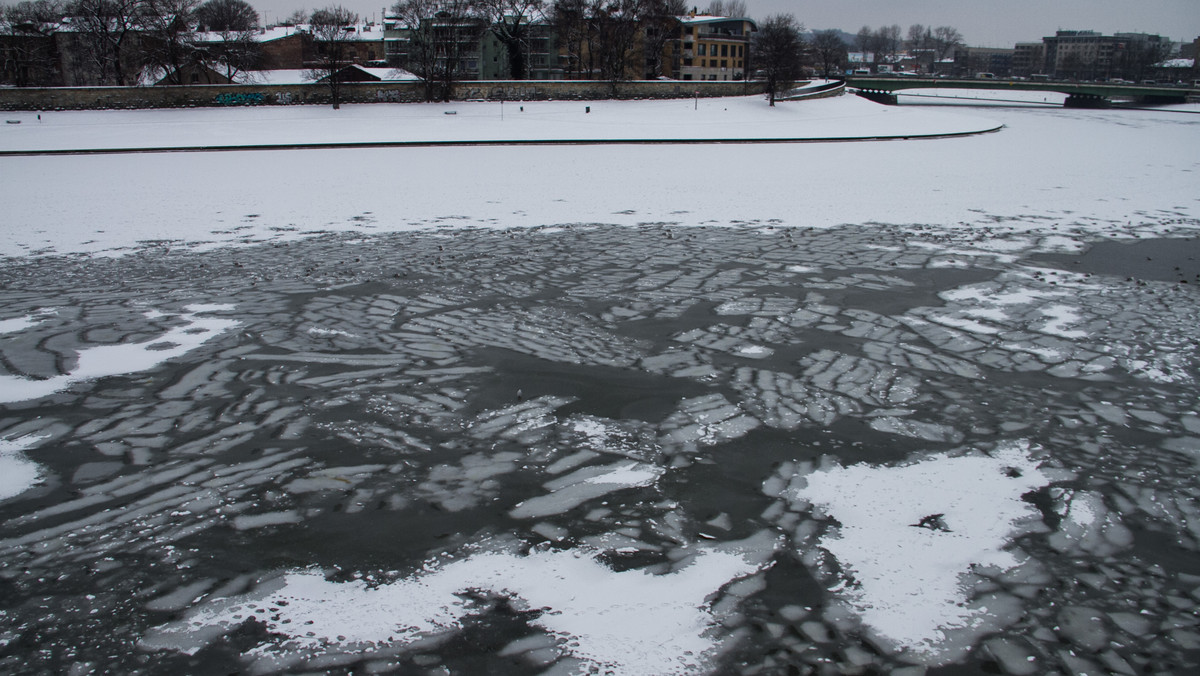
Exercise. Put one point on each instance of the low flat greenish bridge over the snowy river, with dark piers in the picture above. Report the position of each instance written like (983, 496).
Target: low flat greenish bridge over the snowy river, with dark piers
(1079, 94)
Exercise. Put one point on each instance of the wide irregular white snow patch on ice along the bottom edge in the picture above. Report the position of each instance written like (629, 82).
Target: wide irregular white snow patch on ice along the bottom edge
(626, 623)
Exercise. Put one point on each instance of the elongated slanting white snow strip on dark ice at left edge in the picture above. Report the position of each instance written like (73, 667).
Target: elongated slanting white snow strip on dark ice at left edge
(128, 358)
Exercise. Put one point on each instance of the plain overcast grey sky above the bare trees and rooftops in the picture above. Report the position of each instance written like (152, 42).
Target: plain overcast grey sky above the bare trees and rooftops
(985, 23)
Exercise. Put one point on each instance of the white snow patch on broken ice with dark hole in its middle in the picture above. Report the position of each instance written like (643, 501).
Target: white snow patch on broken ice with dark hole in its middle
(903, 581)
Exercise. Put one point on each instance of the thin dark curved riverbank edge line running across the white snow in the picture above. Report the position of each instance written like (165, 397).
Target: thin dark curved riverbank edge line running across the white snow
(497, 143)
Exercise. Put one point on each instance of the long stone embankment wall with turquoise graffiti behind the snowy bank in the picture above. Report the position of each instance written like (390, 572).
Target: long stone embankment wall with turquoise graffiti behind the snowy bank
(215, 95)
